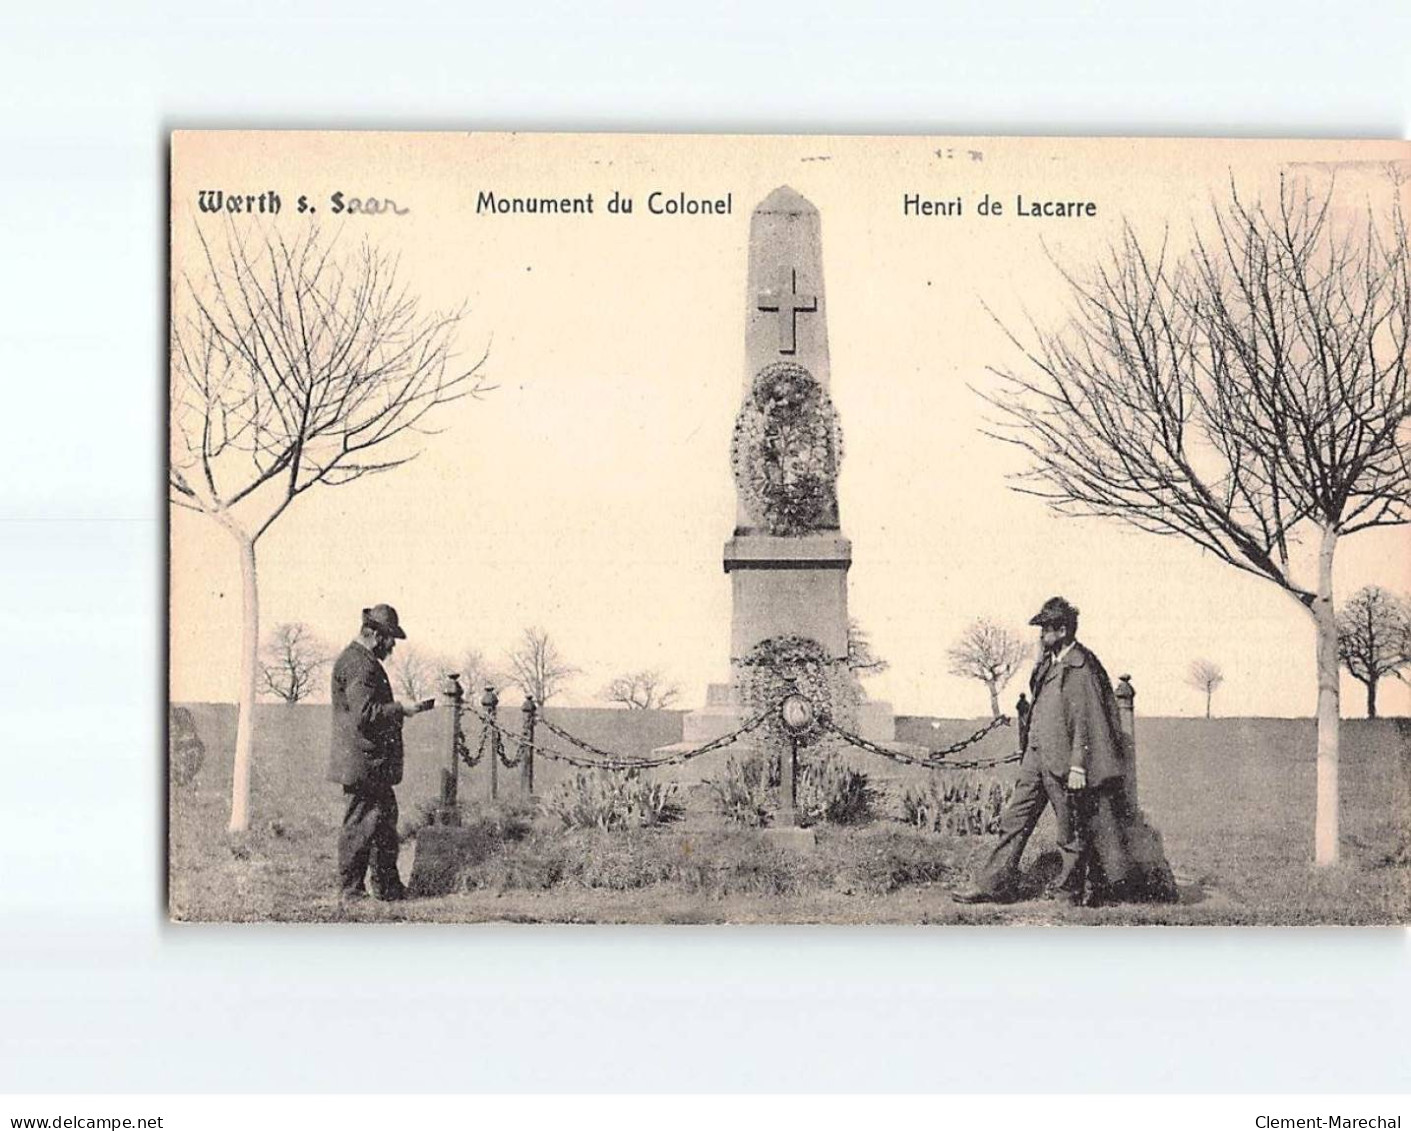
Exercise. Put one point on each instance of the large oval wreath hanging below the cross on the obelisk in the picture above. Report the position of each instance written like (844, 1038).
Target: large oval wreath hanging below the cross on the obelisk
(787, 451)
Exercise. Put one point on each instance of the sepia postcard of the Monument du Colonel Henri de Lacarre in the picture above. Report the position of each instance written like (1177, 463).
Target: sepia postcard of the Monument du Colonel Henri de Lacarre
(706, 530)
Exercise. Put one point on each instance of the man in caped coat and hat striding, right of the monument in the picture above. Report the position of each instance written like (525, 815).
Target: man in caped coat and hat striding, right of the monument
(1074, 755)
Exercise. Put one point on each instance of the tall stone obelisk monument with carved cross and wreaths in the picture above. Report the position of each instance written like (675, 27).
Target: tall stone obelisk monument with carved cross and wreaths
(788, 561)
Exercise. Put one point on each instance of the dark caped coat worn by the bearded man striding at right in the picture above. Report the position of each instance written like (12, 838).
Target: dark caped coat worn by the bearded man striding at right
(1074, 720)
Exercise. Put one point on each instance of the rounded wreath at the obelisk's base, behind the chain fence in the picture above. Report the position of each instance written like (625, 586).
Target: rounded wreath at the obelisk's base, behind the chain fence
(797, 665)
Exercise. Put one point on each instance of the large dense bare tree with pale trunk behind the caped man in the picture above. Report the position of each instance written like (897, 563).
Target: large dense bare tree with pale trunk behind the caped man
(1237, 396)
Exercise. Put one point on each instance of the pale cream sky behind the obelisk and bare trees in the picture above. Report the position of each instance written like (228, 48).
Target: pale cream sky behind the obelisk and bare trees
(591, 491)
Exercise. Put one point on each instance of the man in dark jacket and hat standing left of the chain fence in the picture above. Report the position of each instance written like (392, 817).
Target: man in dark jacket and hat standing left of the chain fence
(368, 757)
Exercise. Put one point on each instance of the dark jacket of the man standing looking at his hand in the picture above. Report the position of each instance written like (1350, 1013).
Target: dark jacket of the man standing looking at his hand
(368, 723)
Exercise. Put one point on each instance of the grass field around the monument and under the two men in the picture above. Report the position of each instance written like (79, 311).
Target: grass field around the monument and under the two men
(1234, 800)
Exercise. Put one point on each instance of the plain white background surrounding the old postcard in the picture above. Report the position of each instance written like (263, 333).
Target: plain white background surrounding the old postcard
(99, 994)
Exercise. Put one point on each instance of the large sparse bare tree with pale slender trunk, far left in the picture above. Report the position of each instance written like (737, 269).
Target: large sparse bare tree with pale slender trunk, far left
(294, 367)
